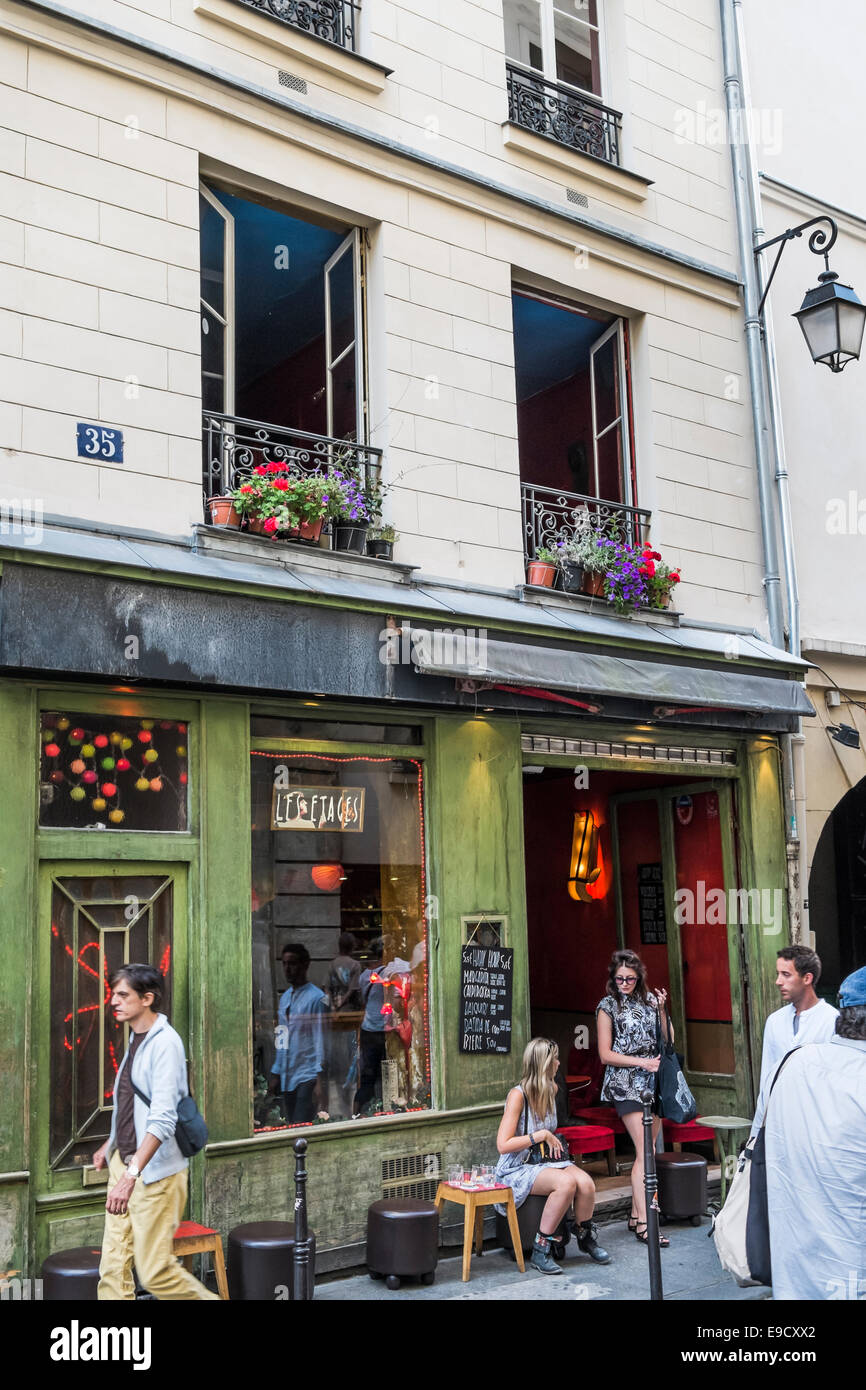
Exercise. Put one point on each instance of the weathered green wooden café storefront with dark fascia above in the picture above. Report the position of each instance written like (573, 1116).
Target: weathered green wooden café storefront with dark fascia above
(297, 675)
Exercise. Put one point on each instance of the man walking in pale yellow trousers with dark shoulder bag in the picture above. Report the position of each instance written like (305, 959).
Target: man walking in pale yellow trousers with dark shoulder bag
(147, 1171)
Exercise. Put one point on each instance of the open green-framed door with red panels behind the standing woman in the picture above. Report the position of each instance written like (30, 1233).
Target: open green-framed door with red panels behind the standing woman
(679, 908)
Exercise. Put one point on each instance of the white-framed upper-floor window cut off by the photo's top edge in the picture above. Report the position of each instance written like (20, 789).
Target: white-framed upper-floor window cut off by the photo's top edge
(559, 40)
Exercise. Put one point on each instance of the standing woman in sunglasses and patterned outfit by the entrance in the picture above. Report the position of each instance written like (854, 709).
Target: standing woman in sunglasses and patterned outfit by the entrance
(629, 1046)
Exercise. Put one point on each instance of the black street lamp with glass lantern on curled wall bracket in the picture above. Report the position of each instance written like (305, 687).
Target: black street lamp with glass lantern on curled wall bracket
(831, 316)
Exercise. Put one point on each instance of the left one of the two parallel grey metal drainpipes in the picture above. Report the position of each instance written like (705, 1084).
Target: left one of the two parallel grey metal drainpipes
(757, 366)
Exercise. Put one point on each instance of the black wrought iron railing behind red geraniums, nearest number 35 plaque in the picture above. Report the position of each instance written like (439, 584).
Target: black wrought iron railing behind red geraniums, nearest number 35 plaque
(234, 447)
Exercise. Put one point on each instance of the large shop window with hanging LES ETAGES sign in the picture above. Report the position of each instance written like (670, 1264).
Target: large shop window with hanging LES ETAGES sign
(340, 942)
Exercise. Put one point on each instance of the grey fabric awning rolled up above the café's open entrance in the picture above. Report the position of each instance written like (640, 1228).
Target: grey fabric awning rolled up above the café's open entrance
(590, 673)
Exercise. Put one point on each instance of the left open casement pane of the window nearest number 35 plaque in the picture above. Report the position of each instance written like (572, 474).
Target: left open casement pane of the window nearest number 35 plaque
(218, 304)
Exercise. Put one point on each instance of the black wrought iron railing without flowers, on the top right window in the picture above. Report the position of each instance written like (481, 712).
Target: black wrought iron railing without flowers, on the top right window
(564, 116)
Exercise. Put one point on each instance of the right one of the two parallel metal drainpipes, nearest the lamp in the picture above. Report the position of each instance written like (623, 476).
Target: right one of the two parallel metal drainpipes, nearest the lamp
(793, 746)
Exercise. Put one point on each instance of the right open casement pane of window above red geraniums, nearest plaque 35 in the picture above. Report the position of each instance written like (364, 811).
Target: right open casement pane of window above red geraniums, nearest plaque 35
(344, 340)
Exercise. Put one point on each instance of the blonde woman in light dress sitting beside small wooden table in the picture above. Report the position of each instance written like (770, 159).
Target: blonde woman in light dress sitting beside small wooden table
(530, 1118)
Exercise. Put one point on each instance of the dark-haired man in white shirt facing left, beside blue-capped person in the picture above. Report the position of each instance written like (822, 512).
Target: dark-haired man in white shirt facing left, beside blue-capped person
(803, 1018)
